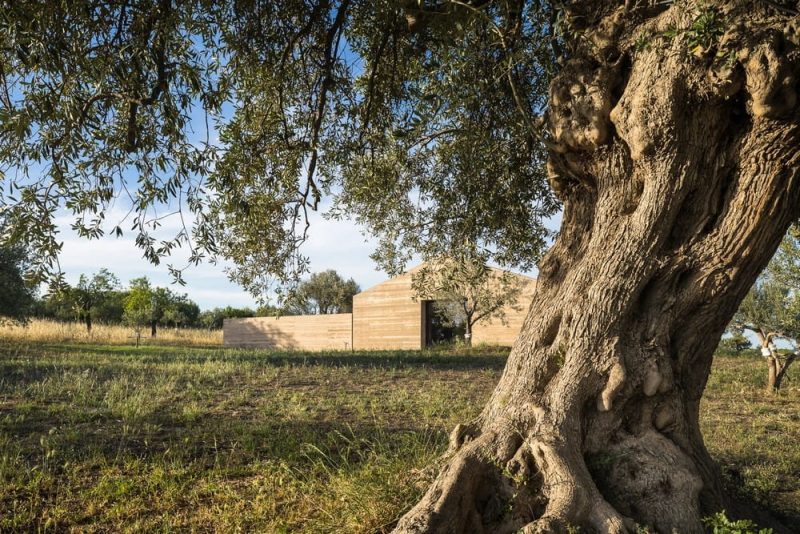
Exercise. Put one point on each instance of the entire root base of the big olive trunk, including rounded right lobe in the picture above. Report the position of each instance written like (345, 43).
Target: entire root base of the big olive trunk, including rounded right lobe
(498, 483)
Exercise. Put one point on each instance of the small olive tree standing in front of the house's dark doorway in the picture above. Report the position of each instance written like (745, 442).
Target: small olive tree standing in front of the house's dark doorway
(467, 289)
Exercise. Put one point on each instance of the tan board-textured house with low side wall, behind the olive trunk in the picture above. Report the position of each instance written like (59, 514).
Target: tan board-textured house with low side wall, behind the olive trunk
(385, 316)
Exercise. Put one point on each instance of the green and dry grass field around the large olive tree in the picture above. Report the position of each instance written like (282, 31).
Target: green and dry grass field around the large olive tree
(161, 438)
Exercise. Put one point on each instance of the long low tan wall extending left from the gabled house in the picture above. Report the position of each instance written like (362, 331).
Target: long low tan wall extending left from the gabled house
(298, 332)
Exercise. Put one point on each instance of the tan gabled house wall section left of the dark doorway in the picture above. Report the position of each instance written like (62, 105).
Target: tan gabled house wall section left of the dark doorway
(387, 317)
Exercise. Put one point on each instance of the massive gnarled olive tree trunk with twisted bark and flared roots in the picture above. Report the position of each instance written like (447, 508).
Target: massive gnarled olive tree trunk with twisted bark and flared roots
(678, 171)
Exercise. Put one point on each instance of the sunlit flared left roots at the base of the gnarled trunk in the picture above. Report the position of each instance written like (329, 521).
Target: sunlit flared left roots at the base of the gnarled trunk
(497, 483)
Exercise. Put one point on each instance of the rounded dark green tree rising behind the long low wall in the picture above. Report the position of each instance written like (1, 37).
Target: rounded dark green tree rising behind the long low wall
(323, 293)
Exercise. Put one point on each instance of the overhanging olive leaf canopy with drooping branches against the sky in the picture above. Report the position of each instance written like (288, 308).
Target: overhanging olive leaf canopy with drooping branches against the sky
(419, 119)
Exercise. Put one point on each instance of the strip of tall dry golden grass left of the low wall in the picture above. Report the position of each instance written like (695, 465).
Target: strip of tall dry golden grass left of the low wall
(46, 331)
